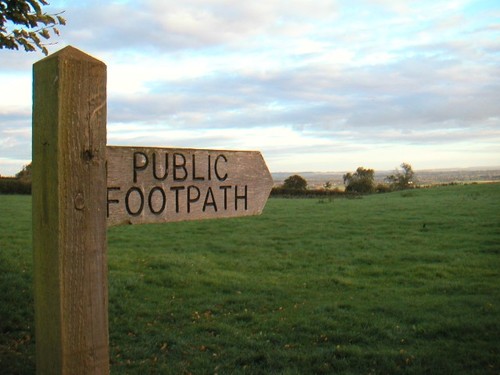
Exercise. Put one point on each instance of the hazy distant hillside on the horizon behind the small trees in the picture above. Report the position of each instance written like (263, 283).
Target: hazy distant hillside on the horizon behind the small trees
(424, 177)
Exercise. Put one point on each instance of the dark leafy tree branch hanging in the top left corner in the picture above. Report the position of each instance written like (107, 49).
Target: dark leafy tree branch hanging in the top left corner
(24, 24)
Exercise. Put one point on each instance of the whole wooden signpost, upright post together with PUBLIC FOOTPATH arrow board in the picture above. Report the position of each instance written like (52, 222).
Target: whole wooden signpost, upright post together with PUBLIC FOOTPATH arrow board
(81, 186)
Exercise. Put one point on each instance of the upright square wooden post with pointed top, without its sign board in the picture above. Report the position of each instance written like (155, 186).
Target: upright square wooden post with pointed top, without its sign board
(69, 214)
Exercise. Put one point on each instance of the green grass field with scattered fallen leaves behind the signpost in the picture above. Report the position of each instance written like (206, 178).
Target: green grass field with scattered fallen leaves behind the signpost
(399, 283)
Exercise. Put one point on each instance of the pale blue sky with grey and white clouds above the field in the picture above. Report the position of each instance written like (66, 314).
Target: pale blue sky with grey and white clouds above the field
(314, 85)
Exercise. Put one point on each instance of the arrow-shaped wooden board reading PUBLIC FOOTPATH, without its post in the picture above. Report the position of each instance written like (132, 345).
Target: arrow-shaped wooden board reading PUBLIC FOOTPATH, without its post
(157, 185)
